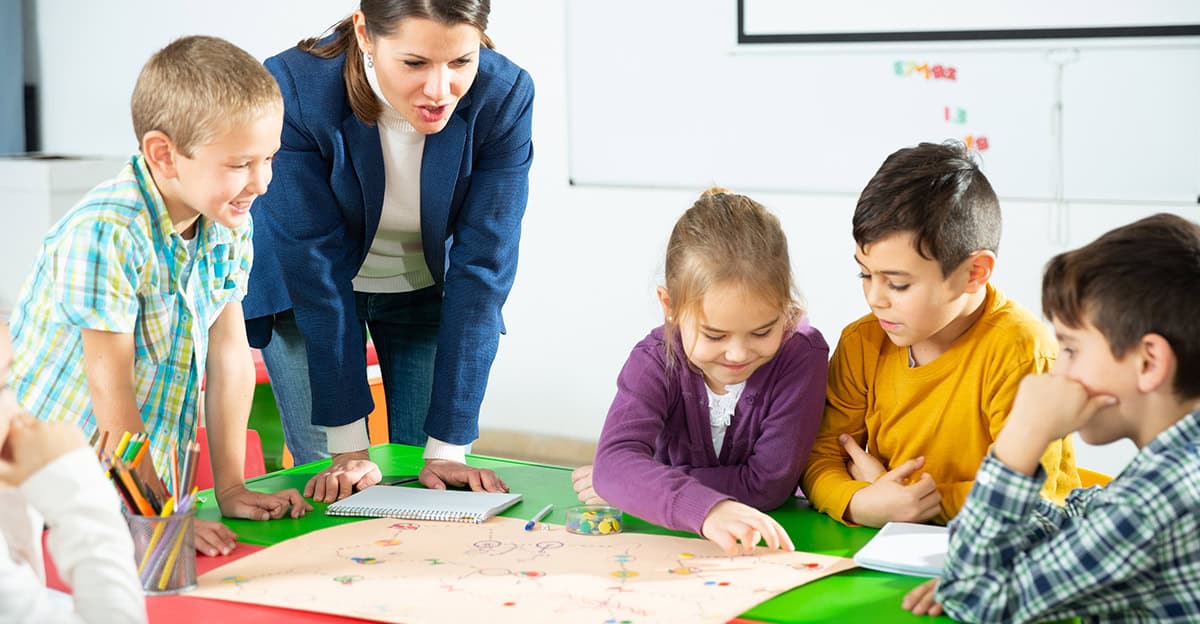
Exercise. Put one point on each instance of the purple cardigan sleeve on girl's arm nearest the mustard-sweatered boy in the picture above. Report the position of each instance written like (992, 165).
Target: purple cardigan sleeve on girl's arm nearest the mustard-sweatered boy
(791, 413)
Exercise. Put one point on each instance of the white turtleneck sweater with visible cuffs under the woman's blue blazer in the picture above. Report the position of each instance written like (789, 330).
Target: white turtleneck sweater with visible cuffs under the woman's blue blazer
(397, 260)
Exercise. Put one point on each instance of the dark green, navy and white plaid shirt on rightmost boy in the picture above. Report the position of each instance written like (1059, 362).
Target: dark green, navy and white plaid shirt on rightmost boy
(1126, 553)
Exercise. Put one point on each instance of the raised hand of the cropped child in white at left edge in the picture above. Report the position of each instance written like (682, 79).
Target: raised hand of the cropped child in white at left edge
(33, 445)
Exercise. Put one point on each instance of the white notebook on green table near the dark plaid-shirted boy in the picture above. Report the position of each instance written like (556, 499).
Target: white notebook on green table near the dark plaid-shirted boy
(907, 548)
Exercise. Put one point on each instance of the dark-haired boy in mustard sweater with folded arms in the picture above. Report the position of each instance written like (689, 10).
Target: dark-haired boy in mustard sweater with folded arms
(926, 381)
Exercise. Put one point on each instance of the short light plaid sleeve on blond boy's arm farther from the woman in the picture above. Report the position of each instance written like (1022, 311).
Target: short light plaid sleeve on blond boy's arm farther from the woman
(94, 278)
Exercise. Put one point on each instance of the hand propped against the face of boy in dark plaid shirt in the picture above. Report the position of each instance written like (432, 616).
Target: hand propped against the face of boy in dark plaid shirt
(1047, 407)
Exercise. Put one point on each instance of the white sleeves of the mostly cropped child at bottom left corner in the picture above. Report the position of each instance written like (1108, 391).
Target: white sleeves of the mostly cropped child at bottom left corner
(89, 543)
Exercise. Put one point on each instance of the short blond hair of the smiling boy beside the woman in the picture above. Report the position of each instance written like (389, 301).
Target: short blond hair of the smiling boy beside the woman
(199, 86)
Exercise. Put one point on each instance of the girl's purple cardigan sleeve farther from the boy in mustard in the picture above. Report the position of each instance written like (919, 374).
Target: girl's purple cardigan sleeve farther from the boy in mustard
(627, 472)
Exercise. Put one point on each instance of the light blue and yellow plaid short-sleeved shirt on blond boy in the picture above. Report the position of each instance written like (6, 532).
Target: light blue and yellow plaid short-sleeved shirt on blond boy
(115, 263)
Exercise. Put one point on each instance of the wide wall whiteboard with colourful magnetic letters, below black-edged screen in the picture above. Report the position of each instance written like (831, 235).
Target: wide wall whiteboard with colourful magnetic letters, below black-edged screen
(656, 100)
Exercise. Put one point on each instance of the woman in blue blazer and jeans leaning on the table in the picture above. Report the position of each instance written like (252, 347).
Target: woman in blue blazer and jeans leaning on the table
(397, 207)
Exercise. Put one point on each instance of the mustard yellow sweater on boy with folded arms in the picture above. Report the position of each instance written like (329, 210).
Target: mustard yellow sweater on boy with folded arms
(950, 410)
